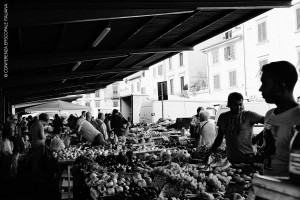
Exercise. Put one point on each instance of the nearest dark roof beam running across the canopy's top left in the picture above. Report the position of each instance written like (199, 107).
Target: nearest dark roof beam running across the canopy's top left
(46, 16)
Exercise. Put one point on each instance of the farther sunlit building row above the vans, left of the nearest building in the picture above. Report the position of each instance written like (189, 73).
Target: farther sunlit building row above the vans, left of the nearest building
(185, 74)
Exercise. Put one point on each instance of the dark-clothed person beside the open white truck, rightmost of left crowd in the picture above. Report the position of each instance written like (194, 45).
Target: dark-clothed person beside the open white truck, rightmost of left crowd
(117, 122)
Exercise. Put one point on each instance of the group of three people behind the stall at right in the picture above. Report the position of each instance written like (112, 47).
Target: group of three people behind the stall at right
(278, 80)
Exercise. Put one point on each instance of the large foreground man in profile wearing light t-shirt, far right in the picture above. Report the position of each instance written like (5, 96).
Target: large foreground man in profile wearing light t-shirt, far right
(278, 81)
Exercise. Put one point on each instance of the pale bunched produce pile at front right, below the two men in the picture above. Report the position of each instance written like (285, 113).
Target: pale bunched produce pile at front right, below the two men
(208, 185)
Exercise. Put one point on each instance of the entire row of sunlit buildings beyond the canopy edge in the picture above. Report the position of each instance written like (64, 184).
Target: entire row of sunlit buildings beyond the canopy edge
(228, 62)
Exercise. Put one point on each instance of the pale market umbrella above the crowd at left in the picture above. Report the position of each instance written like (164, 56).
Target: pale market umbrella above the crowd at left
(57, 106)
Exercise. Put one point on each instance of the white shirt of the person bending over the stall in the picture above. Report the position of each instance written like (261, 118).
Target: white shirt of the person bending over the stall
(88, 131)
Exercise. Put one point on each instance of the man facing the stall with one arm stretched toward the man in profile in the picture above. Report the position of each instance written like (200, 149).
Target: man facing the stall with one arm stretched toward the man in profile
(237, 127)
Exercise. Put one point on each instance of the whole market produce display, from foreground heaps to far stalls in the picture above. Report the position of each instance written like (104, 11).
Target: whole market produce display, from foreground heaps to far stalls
(135, 167)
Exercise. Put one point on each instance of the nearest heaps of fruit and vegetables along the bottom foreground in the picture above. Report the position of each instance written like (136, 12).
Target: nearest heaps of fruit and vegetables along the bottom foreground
(125, 177)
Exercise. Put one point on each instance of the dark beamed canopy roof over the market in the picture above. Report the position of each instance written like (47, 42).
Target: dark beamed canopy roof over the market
(51, 51)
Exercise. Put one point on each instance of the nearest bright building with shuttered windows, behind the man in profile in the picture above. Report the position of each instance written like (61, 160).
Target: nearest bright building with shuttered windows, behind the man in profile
(236, 56)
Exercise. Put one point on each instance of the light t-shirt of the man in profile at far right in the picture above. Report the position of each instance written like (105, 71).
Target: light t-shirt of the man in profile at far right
(282, 131)
